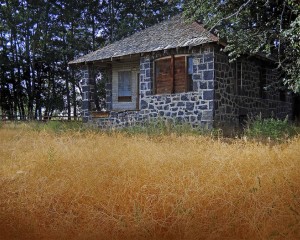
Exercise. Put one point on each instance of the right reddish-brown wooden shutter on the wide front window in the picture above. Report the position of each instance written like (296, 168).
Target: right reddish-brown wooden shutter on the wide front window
(180, 75)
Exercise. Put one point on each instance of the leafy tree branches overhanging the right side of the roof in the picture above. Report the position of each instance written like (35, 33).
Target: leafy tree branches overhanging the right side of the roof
(271, 27)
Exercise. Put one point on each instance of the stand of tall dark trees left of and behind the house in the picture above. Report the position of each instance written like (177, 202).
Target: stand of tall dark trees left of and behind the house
(38, 39)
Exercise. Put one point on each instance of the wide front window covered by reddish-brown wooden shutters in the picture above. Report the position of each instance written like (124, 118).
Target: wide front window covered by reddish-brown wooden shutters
(173, 74)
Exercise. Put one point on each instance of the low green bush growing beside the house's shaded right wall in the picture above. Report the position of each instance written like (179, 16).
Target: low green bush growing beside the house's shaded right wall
(271, 128)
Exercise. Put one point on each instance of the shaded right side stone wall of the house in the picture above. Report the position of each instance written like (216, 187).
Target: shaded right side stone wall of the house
(235, 100)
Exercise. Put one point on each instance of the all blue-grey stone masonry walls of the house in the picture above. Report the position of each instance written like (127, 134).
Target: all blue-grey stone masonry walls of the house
(221, 95)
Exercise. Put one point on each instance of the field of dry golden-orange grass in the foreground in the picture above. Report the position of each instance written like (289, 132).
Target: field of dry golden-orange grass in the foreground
(95, 186)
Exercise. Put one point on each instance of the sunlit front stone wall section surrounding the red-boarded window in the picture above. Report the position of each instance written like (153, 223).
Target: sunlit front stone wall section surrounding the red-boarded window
(195, 107)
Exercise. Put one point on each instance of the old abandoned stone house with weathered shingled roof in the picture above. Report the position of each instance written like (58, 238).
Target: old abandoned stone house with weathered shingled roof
(177, 70)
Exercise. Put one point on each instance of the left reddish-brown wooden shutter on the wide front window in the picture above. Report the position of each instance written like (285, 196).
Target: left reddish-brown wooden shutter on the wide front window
(163, 76)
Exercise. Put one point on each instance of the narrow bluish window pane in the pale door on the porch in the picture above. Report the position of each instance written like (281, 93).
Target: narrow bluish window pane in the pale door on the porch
(124, 86)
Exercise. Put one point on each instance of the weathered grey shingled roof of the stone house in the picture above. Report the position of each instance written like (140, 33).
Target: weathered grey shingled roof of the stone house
(173, 33)
